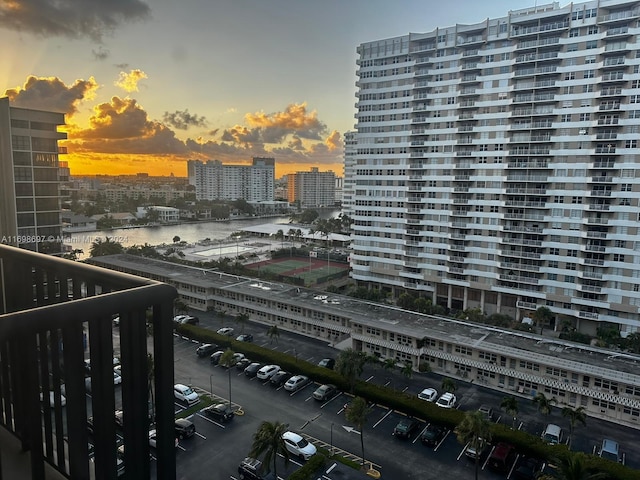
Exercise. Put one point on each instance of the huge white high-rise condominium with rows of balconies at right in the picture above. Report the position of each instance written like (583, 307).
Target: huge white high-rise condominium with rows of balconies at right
(497, 164)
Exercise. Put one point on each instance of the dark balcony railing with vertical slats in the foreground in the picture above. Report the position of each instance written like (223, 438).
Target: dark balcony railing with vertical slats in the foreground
(56, 313)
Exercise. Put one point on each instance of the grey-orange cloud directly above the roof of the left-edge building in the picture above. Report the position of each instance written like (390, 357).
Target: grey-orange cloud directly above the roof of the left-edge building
(50, 93)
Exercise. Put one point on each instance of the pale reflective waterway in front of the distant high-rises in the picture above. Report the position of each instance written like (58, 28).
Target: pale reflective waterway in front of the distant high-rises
(188, 232)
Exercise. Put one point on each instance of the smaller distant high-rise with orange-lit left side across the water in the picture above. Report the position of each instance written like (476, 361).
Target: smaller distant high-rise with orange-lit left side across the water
(312, 189)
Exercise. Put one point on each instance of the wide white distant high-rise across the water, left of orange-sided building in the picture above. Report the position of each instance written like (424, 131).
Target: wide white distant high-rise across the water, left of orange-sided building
(216, 181)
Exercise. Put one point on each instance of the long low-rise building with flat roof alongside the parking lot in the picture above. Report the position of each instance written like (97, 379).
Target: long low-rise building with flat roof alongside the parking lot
(604, 382)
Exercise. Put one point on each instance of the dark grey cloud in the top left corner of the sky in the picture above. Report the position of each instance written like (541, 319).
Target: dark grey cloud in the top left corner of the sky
(70, 18)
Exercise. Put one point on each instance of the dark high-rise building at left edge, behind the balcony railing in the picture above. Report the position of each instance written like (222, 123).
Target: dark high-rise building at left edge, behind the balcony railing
(30, 178)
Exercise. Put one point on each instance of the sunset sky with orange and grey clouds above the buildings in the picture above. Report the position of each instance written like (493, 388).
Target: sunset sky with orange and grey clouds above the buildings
(146, 85)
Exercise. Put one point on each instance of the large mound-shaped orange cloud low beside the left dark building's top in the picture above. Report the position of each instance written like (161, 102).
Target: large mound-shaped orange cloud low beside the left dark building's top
(122, 126)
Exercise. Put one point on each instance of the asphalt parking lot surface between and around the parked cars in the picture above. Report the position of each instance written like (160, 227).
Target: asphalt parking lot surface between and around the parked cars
(217, 448)
